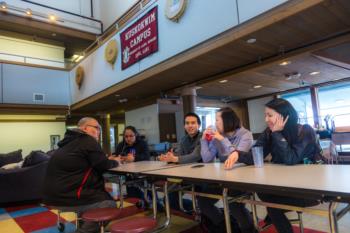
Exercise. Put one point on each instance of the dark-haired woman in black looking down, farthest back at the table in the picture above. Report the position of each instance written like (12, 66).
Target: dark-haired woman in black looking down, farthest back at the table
(132, 149)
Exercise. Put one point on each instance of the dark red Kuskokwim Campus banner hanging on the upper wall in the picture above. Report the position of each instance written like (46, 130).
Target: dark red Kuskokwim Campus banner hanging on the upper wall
(140, 39)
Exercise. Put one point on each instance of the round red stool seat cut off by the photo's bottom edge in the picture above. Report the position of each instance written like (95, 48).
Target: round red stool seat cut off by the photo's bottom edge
(134, 225)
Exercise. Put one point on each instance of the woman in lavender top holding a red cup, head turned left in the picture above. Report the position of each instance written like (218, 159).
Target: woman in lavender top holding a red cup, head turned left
(224, 143)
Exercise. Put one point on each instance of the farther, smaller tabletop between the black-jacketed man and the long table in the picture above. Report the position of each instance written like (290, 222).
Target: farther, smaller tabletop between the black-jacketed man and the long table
(141, 166)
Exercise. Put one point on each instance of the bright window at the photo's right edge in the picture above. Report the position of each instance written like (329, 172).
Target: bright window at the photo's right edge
(335, 104)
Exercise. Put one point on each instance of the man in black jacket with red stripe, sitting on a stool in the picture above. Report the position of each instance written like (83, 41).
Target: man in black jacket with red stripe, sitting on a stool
(74, 180)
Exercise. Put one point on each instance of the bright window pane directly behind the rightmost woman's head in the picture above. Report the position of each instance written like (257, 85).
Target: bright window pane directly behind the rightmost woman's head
(301, 101)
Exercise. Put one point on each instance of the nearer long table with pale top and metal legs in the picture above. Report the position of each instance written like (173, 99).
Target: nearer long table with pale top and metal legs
(329, 183)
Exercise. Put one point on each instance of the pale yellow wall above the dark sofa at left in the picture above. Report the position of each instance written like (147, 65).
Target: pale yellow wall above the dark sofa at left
(28, 136)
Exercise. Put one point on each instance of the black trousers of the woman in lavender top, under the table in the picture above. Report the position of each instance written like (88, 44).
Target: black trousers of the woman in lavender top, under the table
(237, 210)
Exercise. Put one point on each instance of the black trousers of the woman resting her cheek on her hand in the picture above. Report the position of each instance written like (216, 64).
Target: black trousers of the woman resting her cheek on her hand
(278, 216)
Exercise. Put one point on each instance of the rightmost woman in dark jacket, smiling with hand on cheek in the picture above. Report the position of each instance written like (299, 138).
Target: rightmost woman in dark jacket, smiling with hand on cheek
(288, 143)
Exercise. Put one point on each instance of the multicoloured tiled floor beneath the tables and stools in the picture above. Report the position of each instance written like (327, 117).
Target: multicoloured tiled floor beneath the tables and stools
(41, 219)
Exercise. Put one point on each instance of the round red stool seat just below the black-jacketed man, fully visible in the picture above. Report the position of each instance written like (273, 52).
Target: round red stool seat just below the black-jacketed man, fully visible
(101, 214)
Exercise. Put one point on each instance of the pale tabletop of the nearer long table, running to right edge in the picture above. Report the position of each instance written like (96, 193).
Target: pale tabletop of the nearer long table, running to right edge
(328, 180)
